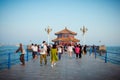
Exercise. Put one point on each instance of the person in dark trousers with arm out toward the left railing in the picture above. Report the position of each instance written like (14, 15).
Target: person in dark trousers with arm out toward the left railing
(22, 51)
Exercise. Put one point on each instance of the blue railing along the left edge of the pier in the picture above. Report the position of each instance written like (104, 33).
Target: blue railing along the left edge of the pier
(10, 58)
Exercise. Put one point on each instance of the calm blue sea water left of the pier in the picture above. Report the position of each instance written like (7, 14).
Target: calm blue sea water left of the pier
(4, 50)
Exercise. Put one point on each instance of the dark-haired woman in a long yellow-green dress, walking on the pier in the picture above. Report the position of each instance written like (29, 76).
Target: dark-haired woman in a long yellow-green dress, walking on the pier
(54, 57)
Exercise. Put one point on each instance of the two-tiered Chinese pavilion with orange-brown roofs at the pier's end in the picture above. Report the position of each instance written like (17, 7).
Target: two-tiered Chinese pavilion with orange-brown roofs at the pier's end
(65, 37)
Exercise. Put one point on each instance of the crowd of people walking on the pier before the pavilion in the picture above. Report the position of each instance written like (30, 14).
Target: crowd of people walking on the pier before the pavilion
(54, 51)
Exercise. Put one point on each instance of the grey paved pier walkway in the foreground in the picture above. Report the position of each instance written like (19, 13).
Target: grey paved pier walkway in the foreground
(86, 68)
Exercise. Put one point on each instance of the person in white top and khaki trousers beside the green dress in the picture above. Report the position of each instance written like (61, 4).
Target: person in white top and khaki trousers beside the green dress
(43, 53)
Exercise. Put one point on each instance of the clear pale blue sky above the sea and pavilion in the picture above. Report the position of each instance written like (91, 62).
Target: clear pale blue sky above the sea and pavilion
(24, 21)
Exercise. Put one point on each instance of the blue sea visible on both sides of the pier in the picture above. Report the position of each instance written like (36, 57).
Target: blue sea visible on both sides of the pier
(113, 55)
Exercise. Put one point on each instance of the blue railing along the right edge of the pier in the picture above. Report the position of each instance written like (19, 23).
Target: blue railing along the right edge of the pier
(107, 56)
